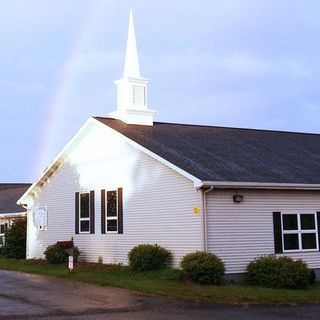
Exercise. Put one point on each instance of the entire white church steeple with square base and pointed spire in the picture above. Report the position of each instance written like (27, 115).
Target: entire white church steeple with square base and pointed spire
(132, 102)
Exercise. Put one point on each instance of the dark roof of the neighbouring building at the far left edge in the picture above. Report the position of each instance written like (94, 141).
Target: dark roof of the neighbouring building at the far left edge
(9, 194)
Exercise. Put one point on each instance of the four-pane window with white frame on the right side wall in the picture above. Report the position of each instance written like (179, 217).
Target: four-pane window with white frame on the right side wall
(299, 232)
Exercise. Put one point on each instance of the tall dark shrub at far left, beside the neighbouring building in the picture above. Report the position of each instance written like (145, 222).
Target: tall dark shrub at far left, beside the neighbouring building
(15, 240)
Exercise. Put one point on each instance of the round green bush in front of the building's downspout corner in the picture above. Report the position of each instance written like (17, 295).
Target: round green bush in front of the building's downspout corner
(203, 267)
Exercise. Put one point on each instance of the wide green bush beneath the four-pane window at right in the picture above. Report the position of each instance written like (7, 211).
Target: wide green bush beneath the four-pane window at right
(279, 272)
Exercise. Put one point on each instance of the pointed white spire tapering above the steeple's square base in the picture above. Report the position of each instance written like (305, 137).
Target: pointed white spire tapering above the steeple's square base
(131, 65)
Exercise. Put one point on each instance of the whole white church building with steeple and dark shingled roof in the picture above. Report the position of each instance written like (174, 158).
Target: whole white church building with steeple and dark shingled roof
(126, 179)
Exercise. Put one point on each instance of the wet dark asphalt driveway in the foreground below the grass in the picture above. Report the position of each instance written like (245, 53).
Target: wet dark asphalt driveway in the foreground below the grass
(24, 296)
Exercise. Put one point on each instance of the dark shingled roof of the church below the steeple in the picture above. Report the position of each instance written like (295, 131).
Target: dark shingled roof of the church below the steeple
(230, 154)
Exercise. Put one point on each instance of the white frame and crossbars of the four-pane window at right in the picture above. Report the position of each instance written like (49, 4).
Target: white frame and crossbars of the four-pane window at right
(299, 232)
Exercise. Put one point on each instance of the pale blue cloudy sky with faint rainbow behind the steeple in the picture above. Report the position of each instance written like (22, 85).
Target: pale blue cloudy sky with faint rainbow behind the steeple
(246, 63)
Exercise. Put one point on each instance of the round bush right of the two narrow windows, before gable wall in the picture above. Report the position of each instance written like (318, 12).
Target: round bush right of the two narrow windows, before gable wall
(148, 257)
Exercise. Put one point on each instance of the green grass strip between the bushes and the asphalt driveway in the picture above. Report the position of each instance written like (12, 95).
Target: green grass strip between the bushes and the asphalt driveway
(165, 283)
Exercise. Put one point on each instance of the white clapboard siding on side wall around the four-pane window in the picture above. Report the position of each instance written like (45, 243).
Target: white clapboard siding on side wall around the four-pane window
(240, 232)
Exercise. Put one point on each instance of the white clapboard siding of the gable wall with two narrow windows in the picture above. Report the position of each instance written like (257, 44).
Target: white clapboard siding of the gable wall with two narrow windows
(158, 202)
